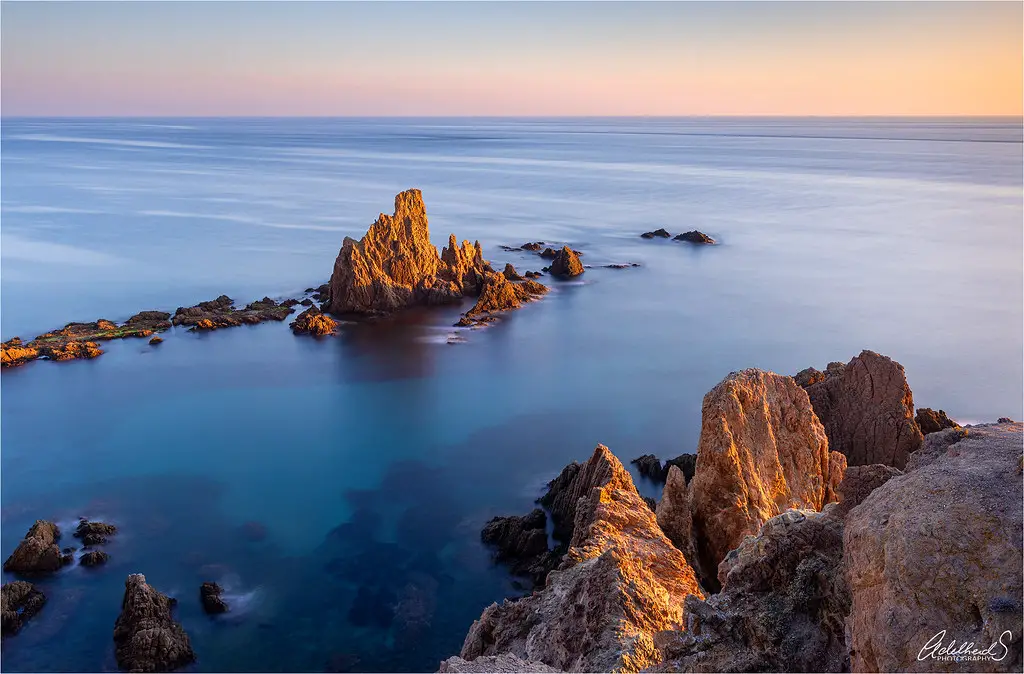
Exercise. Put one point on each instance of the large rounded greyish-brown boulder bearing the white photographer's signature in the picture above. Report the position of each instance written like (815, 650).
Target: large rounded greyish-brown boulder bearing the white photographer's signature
(933, 558)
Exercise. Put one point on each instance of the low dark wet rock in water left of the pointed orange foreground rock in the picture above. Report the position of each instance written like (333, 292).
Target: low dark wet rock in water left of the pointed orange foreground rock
(523, 543)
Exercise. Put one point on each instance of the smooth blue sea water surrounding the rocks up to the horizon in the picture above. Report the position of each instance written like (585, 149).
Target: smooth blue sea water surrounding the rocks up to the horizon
(372, 459)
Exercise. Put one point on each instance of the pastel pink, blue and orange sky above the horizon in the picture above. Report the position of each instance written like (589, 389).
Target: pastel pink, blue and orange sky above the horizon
(222, 59)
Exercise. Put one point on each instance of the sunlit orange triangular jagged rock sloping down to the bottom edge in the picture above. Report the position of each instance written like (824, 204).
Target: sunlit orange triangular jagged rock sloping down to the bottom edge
(620, 583)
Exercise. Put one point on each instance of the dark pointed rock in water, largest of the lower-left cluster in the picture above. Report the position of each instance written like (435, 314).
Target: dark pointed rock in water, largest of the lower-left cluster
(146, 637)
